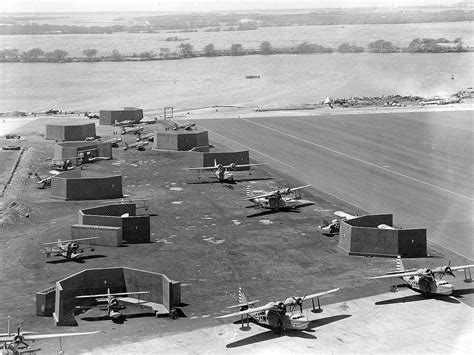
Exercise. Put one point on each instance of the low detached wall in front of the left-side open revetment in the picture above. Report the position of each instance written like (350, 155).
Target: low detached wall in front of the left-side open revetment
(108, 236)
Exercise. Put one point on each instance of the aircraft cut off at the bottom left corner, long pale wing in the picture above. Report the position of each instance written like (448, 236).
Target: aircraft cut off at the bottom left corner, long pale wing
(16, 343)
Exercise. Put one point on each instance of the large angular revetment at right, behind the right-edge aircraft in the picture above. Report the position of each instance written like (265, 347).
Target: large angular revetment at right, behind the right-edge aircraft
(360, 236)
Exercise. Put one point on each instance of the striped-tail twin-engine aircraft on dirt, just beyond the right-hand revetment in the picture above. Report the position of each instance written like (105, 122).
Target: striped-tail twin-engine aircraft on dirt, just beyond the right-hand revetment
(275, 200)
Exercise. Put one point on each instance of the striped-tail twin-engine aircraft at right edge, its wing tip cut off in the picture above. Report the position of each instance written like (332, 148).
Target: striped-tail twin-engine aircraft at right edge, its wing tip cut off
(427, 281)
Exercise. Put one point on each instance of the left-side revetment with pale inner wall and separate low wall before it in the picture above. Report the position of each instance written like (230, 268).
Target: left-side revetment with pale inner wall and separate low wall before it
(131, 229)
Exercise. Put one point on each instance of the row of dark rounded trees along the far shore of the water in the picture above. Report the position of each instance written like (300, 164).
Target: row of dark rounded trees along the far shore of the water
(186, 50)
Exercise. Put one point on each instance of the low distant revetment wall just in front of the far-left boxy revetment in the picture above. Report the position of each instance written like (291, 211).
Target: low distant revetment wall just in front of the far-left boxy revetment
(70, 150)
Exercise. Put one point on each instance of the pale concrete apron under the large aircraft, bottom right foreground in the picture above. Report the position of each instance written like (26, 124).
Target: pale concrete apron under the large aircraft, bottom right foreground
(401, 322)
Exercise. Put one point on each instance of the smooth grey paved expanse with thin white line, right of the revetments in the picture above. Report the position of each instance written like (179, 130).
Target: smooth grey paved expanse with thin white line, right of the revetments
(417, 166)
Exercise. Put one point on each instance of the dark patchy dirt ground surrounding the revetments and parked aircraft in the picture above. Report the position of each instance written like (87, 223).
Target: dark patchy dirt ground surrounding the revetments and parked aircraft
(201, 235)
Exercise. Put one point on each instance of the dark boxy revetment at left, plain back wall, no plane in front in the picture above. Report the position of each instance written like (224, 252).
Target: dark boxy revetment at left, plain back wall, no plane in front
(79, 185)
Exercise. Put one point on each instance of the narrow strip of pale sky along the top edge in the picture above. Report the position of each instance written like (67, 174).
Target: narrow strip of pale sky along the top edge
(8, 6)
